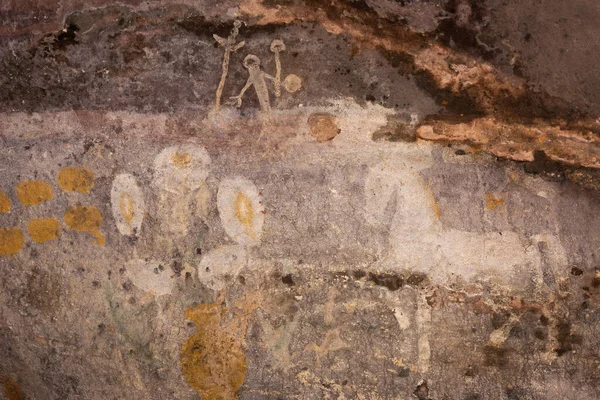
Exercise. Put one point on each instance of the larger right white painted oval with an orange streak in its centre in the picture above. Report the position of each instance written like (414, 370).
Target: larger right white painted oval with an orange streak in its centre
(241, 210)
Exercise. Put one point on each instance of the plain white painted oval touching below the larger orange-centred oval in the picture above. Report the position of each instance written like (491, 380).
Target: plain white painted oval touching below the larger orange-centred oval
(221, 264)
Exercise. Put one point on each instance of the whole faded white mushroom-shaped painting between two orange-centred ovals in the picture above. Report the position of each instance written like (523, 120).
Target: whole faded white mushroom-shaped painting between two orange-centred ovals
(179, 176)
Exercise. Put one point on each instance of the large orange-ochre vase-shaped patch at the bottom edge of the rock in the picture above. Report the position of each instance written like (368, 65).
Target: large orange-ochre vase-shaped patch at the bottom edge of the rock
(212, 360)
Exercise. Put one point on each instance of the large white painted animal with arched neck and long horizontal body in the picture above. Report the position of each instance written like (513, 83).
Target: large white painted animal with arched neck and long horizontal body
(419, 242)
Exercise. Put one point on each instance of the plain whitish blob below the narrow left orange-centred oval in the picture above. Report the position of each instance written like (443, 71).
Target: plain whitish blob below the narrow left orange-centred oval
(150, 276)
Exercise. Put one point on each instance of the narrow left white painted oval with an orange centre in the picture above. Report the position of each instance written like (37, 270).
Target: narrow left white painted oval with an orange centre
(128, 206)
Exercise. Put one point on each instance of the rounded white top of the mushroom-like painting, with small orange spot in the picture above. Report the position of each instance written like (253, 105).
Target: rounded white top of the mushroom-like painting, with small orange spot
(180, 168)
